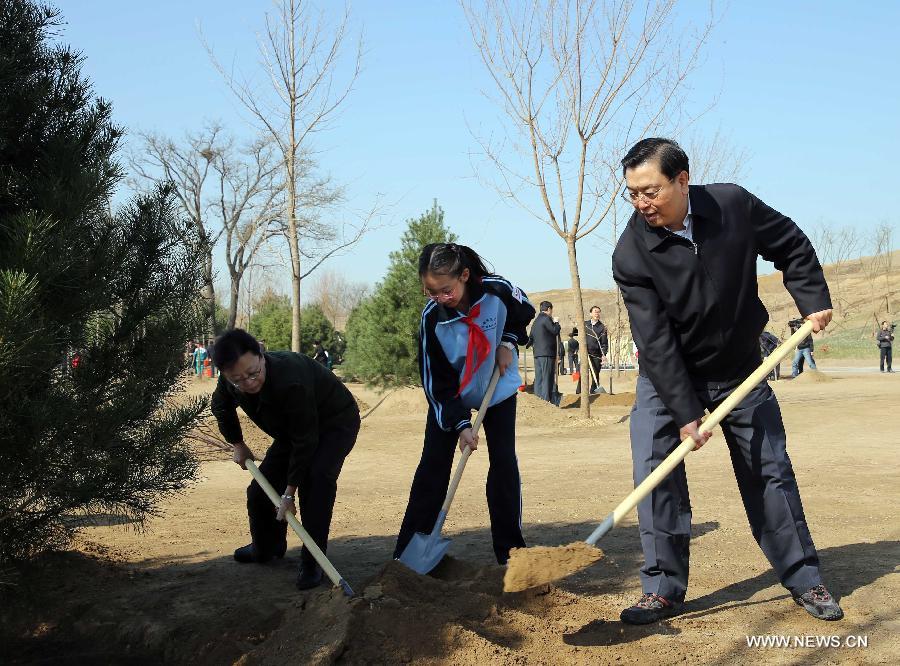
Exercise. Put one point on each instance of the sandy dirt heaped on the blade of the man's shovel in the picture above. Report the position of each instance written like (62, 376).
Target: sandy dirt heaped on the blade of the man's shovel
(530, 567)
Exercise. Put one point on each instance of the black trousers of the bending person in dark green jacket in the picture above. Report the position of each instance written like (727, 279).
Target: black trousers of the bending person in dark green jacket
(315, 492)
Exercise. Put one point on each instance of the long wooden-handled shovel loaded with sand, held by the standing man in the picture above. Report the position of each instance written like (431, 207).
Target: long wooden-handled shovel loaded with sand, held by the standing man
(541, 565)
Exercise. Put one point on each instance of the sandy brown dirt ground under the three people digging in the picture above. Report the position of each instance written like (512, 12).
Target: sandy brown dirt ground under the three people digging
(173, 594)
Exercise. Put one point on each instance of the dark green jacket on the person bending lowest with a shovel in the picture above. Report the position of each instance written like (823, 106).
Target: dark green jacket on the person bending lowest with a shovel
(298, 400)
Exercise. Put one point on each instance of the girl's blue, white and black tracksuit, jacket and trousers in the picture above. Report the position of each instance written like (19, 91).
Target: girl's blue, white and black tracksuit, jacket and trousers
(504, 313)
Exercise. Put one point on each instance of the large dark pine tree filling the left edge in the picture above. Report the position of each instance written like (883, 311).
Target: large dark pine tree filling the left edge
(95, 308)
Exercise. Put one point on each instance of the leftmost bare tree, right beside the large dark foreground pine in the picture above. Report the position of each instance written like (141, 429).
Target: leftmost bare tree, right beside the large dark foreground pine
(187, 165)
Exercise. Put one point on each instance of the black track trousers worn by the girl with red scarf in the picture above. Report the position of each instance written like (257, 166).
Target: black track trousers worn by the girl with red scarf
(504, 487)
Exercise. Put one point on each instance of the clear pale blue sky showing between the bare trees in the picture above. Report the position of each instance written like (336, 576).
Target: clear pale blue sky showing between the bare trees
(809, 89)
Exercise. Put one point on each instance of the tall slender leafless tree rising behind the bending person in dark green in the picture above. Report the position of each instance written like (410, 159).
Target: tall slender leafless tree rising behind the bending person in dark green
(301, 58)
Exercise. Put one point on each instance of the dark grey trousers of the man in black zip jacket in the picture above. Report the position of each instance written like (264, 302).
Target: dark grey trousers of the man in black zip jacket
(755, 436)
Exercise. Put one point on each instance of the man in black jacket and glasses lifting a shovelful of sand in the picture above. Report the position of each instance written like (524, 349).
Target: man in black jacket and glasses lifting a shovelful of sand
(686, 265)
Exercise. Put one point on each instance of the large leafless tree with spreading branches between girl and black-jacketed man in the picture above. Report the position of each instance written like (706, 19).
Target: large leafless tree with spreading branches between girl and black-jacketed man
(579, 80)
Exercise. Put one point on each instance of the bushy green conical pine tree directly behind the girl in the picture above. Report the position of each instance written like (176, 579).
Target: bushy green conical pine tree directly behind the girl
(382, 332)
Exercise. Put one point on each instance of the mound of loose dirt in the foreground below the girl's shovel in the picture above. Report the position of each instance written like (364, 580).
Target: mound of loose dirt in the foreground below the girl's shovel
(458, 614)
